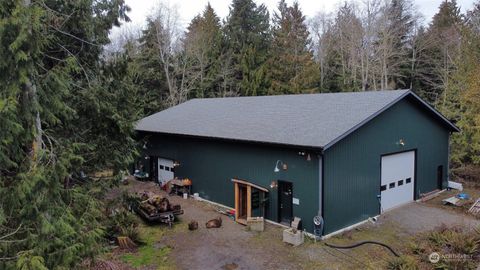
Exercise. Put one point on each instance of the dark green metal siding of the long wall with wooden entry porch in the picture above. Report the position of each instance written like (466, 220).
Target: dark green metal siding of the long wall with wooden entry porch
(211, 164)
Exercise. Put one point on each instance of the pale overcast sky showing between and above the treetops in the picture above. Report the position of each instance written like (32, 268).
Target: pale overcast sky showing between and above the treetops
(189, 8)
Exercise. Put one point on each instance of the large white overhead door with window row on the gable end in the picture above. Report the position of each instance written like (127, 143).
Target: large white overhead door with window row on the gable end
(397, 185)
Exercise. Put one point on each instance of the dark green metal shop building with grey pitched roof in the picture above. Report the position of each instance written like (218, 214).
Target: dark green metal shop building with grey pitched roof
(344, 157)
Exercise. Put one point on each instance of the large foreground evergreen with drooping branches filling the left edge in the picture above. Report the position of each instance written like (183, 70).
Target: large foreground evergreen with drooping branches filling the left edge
(49, 52)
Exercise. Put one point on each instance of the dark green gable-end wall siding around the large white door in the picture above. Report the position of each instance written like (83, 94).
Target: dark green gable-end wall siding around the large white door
(352, 166)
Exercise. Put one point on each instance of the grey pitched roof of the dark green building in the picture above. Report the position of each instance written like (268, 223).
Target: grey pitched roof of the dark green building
(309, 120)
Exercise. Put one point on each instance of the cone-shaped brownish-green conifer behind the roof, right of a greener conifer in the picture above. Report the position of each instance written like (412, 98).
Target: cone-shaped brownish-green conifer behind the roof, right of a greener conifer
(291, 65)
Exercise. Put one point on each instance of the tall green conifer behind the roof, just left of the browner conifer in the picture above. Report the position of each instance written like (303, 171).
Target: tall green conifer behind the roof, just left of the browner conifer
(247, 33)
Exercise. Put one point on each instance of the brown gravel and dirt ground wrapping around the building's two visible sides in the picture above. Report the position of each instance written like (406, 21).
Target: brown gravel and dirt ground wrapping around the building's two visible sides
(234, 247)
